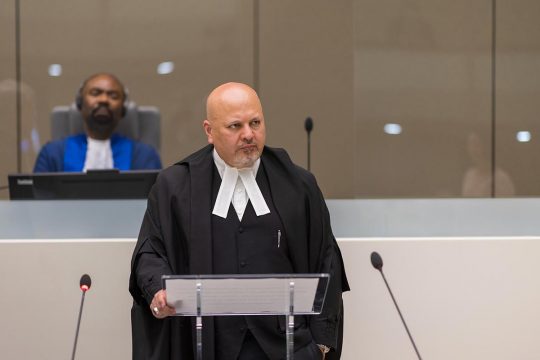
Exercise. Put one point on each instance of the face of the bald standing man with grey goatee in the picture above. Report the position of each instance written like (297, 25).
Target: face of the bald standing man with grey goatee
(236, 127)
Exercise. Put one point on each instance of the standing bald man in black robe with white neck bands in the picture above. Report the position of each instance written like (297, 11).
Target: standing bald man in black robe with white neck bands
(234, 207)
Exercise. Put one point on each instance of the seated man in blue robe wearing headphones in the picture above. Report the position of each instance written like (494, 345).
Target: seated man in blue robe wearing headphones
(101, 101)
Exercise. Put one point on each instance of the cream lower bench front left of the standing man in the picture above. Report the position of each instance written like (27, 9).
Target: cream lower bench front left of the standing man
(44, 276)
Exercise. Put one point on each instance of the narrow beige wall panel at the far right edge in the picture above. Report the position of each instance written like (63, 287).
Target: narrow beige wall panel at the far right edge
(518, 94)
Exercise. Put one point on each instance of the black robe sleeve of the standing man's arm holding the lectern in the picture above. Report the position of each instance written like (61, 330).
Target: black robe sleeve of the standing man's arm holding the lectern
(153, 256)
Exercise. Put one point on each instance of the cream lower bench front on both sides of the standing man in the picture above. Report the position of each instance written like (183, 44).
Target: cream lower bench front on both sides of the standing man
(462, 297)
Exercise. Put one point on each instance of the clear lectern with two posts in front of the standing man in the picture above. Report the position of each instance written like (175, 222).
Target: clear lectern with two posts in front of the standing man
(254, 294)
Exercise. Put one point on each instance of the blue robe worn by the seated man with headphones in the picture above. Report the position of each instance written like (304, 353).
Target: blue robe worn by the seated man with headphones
(69, 154)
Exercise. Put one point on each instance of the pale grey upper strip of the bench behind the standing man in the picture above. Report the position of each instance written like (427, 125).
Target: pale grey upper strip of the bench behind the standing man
(350, 218)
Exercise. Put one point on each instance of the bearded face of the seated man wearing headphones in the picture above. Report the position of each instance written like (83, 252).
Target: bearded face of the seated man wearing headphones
(101, 108)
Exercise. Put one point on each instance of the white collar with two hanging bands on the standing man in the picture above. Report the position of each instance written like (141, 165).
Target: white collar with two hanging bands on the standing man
(229, 176)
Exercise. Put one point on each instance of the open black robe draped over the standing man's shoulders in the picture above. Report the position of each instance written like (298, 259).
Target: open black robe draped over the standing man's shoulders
(176, 238)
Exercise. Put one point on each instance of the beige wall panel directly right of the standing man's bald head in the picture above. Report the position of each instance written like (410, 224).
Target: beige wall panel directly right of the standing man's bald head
(306, 70)
